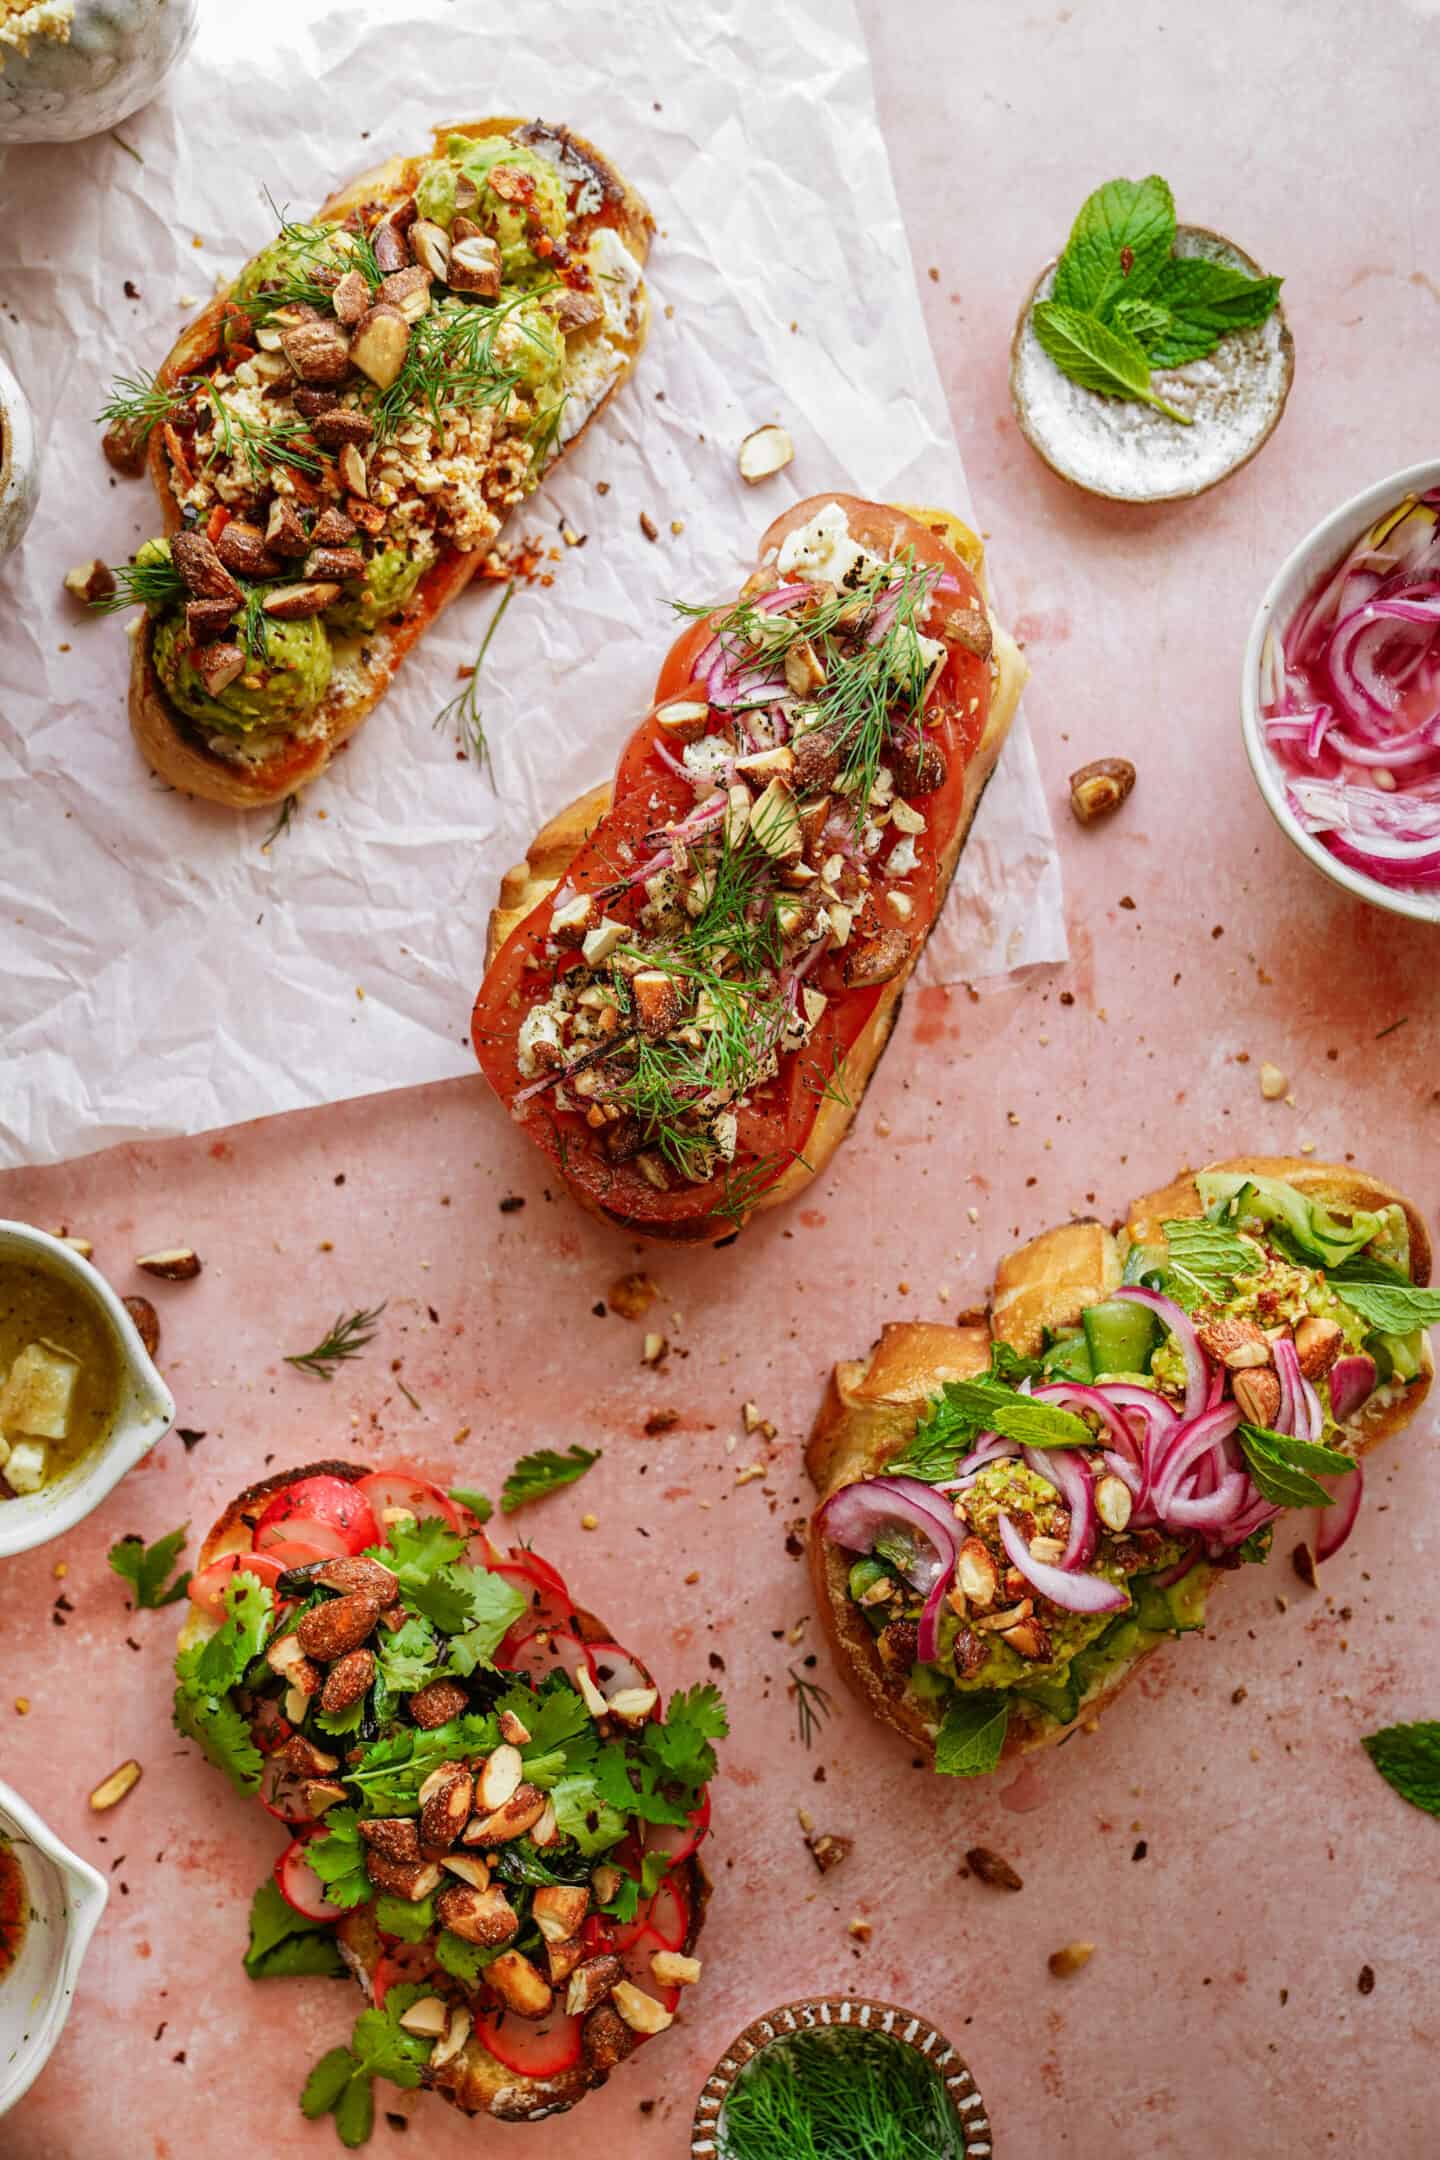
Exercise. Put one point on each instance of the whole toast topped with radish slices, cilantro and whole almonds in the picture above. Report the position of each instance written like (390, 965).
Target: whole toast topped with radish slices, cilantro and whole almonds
(448, 1738)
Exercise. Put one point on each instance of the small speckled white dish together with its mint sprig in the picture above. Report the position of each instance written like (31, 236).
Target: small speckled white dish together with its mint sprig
(1152, 360)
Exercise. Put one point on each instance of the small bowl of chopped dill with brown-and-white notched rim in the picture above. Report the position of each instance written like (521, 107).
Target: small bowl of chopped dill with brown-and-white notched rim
(837, 2077)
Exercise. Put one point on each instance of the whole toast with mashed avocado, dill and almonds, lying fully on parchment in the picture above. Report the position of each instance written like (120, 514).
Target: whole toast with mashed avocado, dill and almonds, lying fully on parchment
(340, 435)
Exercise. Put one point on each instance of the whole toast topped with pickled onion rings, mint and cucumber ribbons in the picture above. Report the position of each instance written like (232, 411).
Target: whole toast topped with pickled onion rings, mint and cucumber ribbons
(1020, 1509)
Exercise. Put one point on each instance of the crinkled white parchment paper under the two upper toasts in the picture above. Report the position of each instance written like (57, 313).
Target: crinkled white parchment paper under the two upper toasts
(159, 971)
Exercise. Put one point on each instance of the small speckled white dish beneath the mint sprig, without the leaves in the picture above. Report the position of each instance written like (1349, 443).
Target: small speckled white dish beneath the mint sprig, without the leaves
(1126, 450)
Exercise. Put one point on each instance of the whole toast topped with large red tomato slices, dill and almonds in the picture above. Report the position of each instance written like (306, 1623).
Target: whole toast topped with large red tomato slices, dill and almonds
(696, 969)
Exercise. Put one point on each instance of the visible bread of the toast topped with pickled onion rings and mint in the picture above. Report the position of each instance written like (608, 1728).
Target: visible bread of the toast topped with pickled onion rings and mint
(871, 1405)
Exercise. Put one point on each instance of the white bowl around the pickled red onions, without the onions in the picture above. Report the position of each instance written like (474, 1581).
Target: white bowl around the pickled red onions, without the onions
(1288, 589)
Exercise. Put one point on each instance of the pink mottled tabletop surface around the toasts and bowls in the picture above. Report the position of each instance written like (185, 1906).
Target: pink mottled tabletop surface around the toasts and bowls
(1221, 2010)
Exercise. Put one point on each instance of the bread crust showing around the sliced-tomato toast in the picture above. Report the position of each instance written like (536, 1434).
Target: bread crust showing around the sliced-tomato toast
(558, 843)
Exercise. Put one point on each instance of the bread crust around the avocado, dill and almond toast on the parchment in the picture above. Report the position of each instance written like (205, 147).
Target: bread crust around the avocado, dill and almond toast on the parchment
(169, 742)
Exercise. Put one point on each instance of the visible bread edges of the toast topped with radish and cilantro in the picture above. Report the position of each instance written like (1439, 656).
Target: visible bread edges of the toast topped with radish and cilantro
(474, 2081)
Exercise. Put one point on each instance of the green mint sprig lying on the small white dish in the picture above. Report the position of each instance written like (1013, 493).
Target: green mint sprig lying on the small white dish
(1124, 301)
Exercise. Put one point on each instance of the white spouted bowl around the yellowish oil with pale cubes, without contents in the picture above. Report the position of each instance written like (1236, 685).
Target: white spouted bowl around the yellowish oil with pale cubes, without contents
(144, 1416)
